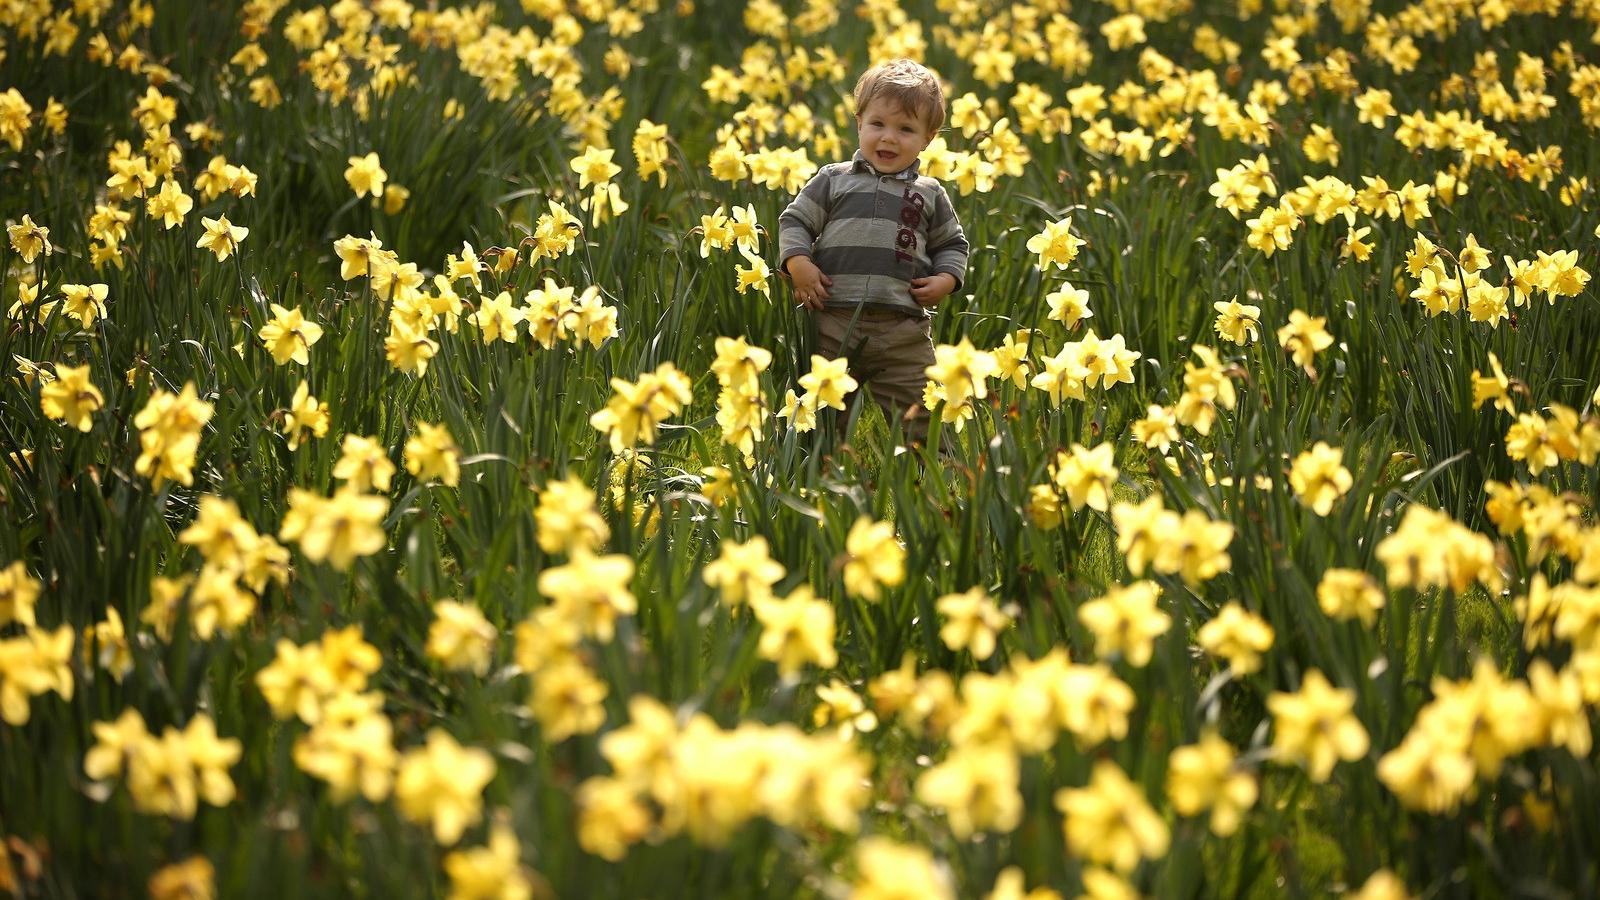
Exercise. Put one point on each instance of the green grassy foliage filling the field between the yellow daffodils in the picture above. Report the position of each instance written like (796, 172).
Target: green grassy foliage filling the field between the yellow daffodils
(1394, 393)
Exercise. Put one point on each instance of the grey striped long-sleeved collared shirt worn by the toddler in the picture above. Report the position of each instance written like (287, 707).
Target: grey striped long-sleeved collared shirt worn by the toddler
(873, 235)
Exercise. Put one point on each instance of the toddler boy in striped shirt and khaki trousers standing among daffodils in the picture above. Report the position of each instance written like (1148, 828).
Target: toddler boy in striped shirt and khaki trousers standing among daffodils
(871, 246)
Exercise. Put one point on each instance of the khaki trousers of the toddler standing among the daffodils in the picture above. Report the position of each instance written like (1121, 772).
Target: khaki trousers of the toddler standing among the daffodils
(889, 353)
